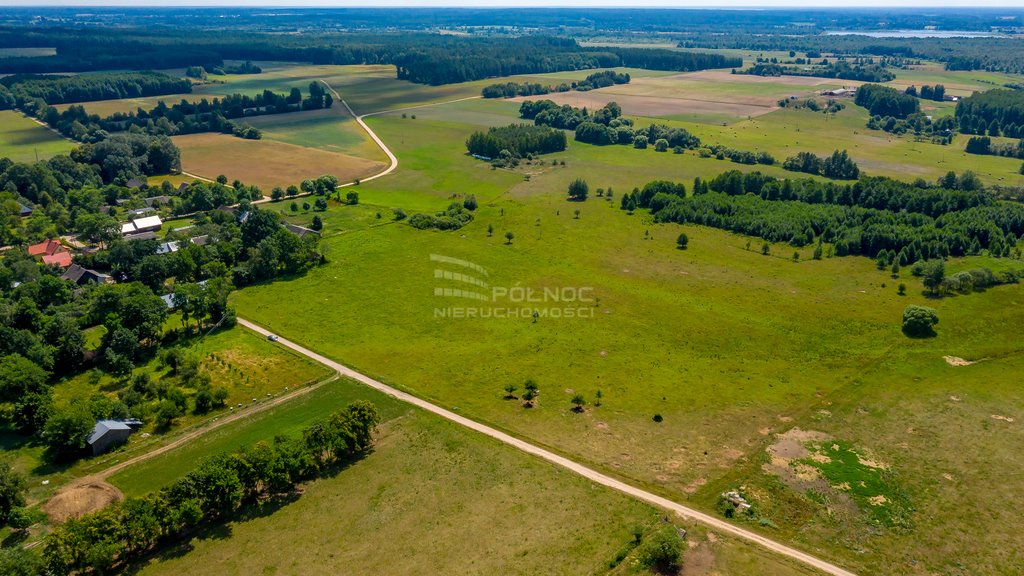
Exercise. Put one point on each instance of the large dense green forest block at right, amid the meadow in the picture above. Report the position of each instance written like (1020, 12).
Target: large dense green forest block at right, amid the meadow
(908, 223)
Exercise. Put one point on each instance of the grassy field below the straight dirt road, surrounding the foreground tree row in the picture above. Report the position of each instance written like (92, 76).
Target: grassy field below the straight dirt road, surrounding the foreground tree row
(524, 516)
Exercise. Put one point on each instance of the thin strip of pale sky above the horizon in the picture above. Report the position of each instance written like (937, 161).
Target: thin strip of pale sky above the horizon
(529, 4)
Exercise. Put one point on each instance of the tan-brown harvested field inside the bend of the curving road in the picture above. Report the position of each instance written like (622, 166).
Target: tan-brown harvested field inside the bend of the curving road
(267, 163)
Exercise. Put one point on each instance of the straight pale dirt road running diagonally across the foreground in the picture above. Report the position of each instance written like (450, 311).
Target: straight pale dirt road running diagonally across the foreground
(590, 474)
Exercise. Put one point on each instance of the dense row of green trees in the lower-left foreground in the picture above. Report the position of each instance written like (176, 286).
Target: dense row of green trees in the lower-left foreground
(111, 540)
